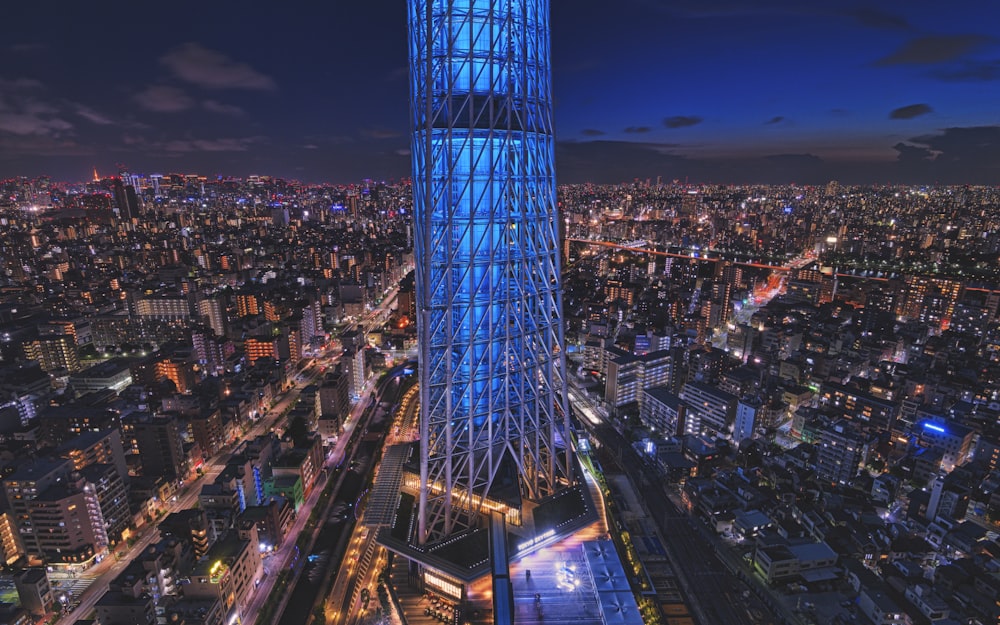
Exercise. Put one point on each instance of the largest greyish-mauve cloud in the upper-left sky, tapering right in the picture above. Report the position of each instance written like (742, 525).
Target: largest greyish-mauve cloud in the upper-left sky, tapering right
(198, 65)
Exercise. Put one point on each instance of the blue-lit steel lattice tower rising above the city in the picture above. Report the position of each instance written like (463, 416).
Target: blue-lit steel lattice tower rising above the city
(490, 329)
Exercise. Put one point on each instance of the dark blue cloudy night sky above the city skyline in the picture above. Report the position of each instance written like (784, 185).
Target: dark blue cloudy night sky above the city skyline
(704, 91)
